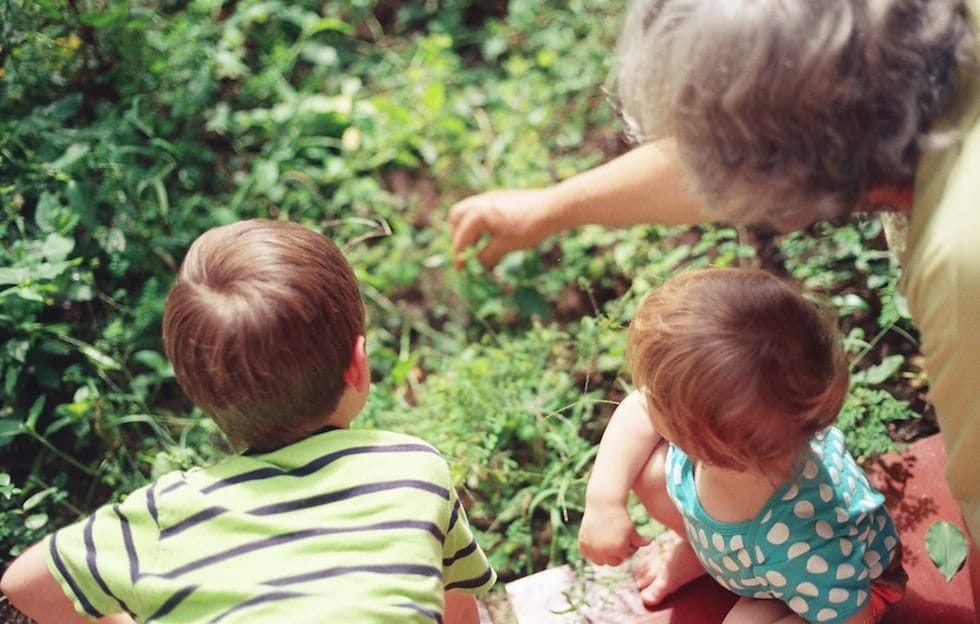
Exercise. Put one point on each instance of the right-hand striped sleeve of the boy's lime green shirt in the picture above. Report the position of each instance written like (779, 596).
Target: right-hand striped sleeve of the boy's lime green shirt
(464, 563)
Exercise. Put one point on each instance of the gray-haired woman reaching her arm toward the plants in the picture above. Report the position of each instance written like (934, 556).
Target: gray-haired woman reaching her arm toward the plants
(790, 112)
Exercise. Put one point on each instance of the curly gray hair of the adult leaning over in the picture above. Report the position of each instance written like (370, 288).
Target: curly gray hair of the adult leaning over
(786, 112)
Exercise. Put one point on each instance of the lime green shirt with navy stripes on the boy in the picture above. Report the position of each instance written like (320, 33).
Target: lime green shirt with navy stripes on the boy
(343, 526)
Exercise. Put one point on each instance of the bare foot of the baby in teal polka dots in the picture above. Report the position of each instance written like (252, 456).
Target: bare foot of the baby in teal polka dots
(663, 567)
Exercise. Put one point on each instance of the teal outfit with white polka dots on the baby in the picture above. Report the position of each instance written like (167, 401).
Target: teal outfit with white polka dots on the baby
(817, 544)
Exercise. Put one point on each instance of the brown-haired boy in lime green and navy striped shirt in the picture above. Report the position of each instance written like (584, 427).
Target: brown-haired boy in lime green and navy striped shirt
(314, 522)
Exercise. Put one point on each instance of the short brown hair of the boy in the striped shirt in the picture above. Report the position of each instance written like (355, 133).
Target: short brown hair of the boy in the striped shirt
(260, 326)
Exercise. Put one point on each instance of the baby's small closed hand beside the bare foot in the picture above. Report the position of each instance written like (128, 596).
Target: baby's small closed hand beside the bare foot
(607, 535)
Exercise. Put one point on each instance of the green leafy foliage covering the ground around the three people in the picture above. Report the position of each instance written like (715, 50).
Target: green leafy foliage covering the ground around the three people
(129, 127)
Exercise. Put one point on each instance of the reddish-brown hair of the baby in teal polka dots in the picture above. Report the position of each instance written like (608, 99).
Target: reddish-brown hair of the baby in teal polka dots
(742, 367)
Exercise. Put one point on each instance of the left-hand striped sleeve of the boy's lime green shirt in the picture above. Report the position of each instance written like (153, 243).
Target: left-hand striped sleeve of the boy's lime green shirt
(97, 560)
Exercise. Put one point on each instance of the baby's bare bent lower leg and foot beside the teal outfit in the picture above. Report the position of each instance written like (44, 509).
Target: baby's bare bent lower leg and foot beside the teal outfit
(669, 562)
